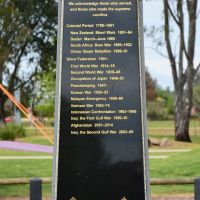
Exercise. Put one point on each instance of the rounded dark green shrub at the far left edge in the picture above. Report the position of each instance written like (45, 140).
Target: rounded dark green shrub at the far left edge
(12, 131)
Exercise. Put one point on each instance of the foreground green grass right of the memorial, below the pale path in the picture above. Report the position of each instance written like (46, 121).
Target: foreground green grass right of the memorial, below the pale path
(178, 165)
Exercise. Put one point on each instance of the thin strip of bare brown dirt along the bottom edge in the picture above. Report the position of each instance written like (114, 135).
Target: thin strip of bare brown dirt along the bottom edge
(154, 197)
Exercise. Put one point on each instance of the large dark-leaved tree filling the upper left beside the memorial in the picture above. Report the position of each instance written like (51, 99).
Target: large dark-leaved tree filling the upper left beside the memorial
(27, 32)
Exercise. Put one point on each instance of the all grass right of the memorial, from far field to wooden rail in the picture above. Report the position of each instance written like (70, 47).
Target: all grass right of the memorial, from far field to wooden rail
(178, 165)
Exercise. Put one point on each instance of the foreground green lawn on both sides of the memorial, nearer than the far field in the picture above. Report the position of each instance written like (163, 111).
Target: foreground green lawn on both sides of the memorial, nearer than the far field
(178, 165)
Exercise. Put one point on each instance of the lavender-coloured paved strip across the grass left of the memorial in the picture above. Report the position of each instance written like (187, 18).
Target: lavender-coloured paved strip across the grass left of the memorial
(20, 146)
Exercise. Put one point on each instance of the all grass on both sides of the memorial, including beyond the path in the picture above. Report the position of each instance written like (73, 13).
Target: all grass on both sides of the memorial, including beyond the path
(178, 165)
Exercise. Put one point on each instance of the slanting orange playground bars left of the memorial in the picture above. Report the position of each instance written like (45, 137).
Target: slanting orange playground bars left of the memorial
(34, 120)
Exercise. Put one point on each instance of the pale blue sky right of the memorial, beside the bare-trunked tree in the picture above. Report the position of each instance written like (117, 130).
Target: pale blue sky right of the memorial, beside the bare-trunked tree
(158, 65)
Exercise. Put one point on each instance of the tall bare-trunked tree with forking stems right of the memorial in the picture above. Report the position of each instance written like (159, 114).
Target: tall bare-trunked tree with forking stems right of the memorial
(182, 60)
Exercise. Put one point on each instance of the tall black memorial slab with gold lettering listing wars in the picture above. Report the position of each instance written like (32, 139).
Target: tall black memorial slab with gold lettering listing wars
(100, 144)
